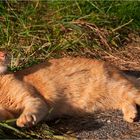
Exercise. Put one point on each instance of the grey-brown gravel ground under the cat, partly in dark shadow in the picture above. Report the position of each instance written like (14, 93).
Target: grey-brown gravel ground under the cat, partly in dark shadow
(103, 125)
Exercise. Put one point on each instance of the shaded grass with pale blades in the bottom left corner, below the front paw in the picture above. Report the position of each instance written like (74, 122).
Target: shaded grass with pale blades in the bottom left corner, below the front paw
(9, 130)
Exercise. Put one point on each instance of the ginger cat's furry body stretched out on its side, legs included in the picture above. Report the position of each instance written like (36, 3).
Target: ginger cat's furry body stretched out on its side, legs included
(72, 86)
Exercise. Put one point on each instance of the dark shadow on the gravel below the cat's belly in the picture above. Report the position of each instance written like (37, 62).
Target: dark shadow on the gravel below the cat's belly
(68, 124)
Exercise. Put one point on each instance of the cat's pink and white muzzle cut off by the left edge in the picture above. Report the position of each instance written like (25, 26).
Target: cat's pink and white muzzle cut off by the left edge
(3, 62)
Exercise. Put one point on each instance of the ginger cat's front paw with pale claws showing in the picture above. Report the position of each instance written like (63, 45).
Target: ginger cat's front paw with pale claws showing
(26, 120)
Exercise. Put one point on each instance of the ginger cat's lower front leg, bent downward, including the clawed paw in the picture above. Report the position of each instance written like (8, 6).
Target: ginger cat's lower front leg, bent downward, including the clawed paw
(35, 110)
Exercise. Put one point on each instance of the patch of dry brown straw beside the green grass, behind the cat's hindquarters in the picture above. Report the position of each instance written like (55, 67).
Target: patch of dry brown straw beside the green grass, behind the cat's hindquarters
(127, 57)
